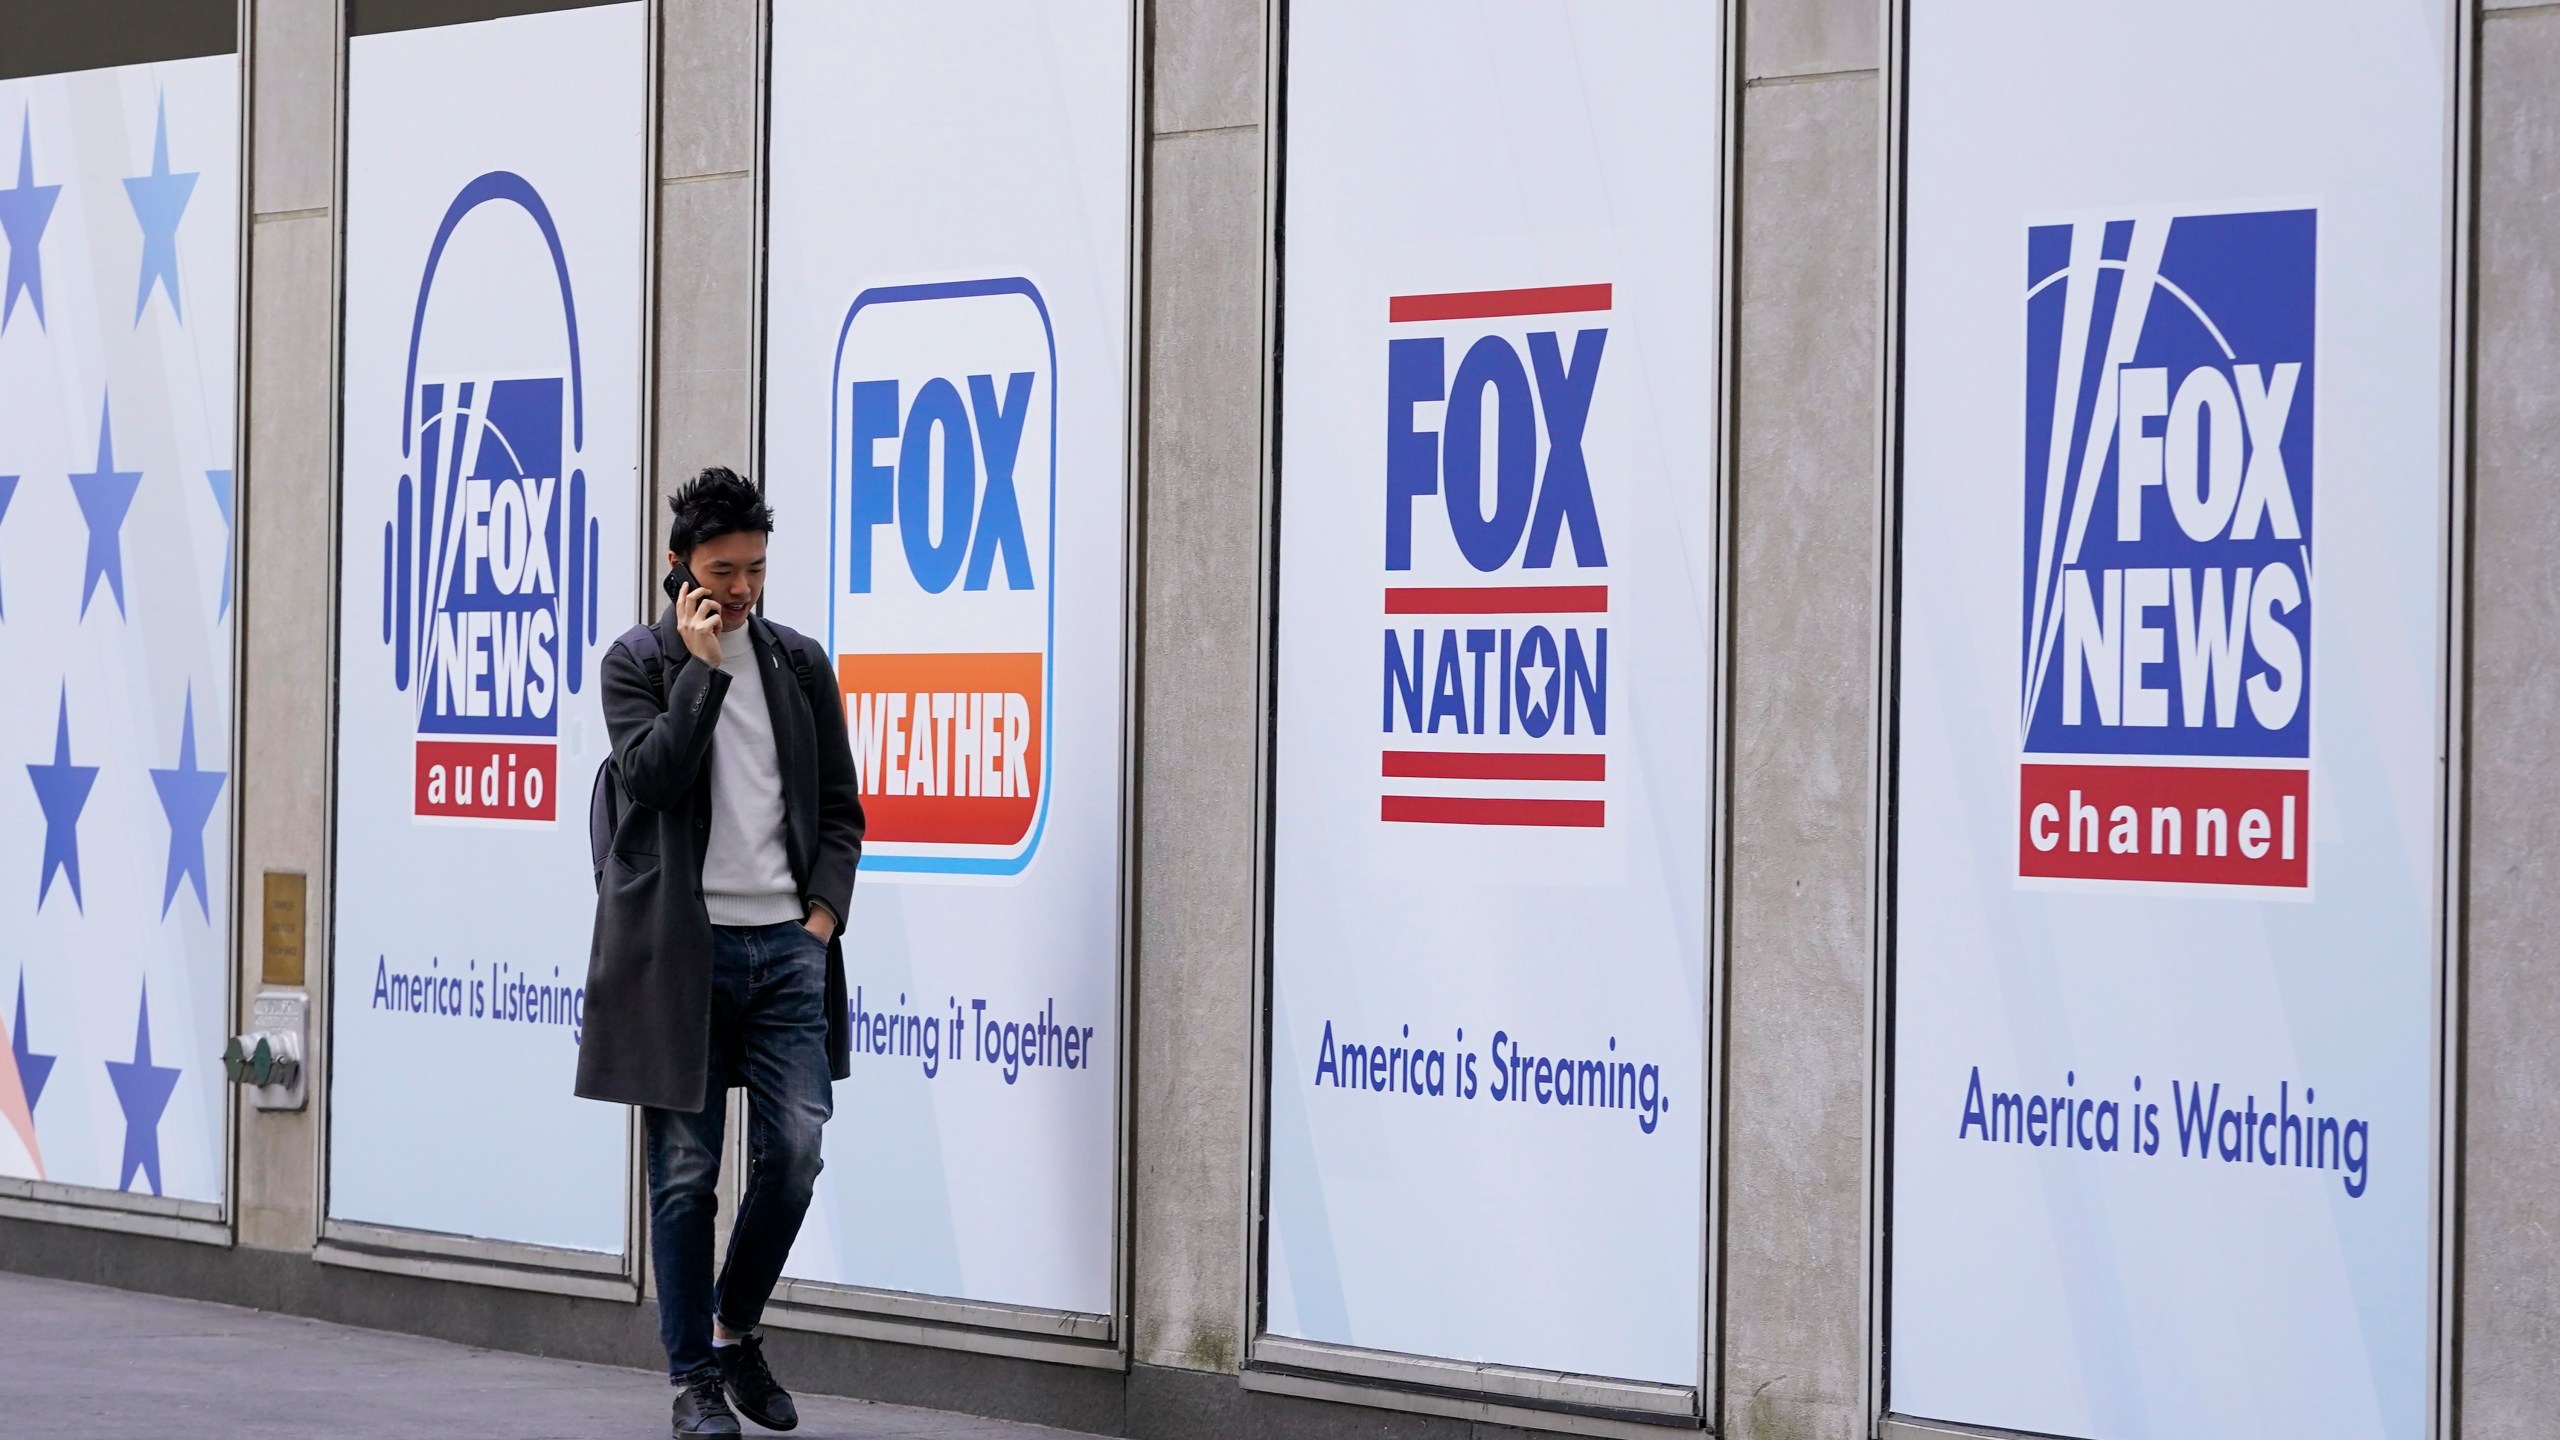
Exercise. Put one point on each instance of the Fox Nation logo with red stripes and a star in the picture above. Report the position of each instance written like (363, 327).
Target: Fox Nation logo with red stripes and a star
(1496, 606)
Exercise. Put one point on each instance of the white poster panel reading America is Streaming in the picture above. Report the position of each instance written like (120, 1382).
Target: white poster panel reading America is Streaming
(1494, 752)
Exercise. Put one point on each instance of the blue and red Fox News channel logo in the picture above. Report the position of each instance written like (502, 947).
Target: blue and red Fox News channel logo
(2167, 644)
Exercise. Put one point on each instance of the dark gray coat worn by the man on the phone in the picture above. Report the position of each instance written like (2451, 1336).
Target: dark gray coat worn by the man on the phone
(649, 972)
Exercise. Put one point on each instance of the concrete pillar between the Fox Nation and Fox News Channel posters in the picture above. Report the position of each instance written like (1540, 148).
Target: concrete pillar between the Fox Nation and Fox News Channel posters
(1804, 714)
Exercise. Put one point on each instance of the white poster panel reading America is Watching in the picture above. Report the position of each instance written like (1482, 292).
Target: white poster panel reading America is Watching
(2172, 606)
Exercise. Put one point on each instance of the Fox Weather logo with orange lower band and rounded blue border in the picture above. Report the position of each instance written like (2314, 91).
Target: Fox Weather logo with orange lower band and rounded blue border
(943, 532)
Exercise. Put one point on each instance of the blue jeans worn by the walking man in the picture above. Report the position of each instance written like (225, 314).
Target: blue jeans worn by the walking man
(769, 1031)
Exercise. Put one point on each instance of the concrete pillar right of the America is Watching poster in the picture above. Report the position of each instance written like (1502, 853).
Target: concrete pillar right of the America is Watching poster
(2510, 1262)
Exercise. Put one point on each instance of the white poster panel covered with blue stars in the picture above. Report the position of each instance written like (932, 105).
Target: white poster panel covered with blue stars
(119, 327)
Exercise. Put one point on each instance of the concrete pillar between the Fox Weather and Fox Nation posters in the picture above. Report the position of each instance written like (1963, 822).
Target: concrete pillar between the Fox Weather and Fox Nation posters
(1199, 696)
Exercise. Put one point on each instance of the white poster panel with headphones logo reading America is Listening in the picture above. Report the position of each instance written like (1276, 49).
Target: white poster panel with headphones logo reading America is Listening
(495, 214)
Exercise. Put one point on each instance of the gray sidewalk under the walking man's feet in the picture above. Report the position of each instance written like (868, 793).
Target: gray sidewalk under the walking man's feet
(111, 1364)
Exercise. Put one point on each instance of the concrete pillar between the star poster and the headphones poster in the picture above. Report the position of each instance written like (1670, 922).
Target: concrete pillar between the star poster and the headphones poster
(288, 519)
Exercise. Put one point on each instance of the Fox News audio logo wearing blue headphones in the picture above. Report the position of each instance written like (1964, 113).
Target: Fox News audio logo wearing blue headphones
(490, 557)
